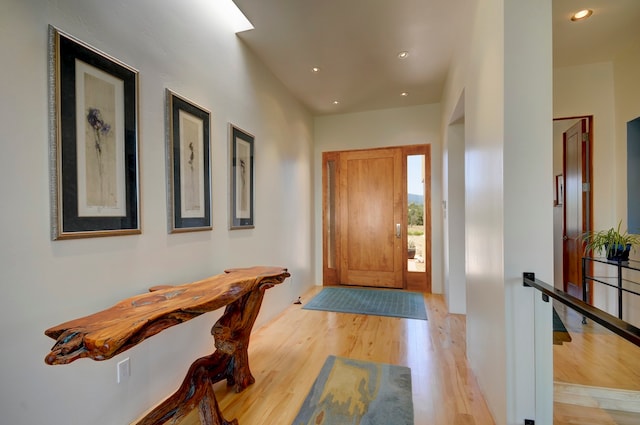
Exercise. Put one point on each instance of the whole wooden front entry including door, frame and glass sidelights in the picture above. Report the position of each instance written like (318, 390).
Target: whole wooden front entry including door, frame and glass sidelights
(377, 217)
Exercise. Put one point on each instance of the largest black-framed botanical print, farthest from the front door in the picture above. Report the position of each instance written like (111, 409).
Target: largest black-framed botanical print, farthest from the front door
(93, 141)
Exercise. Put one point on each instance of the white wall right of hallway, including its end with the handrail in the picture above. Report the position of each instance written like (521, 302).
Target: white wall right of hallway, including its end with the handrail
(508, 216)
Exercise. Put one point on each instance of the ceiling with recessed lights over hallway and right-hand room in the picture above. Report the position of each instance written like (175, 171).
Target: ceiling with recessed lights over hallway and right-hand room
(355, 44)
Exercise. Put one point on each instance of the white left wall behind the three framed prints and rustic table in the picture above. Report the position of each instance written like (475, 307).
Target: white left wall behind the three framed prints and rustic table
(188, 47)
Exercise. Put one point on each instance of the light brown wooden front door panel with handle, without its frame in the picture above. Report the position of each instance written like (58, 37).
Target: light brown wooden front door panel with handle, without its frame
(371, 218)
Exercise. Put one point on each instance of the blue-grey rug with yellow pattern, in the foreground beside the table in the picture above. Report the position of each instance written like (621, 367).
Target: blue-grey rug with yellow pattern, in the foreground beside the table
(350, 391)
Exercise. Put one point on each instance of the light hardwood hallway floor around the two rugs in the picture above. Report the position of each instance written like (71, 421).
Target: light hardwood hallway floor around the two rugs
(286, 355)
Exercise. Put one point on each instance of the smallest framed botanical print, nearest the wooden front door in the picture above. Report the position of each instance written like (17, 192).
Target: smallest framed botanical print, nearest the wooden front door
(242, 179)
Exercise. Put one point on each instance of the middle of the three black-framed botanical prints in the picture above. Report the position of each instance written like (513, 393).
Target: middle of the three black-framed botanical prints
(188, 165)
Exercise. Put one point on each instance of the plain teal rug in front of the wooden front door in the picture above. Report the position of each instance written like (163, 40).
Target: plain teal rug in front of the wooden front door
(378, 302)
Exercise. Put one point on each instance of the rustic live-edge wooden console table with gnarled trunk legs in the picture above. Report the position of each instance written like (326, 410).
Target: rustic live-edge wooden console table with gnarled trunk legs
(107, 333)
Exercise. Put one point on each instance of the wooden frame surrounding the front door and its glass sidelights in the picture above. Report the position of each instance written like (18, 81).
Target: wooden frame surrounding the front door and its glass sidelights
(331, 250)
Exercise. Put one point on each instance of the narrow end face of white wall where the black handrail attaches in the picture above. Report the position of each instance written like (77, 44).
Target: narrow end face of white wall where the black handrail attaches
(528, 110)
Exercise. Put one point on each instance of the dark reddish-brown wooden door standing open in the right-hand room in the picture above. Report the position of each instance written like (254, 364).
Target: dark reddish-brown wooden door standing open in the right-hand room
(576, 205)
